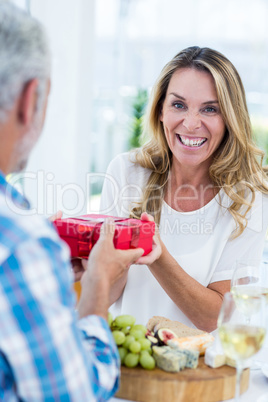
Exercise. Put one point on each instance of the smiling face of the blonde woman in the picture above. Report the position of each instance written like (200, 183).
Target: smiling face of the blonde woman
(193, 125)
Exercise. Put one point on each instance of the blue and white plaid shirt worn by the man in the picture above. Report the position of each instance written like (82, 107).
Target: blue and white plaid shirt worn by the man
(46, 353)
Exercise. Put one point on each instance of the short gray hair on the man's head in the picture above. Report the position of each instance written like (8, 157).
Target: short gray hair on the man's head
(24, 55)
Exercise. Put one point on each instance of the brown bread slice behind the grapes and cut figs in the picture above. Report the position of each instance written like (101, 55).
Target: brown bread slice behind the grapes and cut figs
(181, 330)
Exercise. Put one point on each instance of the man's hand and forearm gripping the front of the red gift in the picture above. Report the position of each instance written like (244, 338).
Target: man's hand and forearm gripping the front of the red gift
(106, 265)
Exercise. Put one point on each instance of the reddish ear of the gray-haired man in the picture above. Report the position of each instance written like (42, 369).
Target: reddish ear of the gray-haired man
(27, 103)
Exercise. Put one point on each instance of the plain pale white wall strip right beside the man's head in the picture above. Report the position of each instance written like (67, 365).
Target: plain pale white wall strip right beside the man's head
(56, 174)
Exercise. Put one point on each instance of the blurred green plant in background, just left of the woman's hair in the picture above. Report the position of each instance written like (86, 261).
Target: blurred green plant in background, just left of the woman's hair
(138, 108)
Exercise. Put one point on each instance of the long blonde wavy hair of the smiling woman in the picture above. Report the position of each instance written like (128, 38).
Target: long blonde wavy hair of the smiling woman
(237, 165)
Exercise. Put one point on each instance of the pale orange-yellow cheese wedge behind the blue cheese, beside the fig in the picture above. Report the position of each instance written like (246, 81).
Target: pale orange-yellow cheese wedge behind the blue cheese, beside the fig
(197, 342)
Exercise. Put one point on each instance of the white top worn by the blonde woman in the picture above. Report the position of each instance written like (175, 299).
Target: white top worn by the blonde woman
(199, 240)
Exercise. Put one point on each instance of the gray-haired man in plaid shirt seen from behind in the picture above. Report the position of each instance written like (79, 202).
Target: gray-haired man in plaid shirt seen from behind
(46, 351)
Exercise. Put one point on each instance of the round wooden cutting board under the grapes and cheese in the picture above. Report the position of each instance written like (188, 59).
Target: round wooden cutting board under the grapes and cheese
(203, 384)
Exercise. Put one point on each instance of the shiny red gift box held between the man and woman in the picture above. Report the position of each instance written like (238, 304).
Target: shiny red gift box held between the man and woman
(81, 233)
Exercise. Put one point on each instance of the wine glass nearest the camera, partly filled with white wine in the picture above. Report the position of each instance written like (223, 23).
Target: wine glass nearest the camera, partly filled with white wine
(241, 339)
